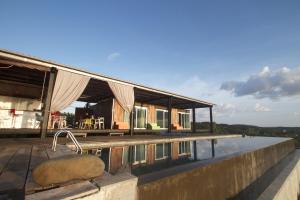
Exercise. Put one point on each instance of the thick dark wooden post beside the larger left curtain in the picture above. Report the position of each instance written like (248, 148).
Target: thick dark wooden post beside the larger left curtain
(47, 104)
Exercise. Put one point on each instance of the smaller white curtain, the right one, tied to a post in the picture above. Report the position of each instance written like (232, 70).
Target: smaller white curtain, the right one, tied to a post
(124, 95)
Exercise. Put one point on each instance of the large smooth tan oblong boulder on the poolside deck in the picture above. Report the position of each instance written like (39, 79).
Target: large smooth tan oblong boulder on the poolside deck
(68, 168)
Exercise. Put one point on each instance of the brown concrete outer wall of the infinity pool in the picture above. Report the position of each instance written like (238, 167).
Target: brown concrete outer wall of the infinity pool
(217, 179)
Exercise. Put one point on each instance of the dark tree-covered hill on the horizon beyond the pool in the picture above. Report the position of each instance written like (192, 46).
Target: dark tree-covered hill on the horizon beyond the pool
(251, 130)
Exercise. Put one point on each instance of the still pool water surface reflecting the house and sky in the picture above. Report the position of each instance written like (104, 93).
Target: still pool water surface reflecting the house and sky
(142, 159)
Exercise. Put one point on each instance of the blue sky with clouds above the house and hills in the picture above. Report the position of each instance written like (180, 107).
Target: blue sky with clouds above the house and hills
(244, 56)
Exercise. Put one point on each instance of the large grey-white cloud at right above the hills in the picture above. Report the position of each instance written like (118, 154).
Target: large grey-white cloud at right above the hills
(267, 84)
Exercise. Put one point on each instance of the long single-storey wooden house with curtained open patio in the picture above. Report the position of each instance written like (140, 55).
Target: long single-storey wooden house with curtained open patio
(33, 91)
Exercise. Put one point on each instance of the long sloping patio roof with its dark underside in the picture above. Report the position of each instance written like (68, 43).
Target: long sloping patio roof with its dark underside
(97, 89)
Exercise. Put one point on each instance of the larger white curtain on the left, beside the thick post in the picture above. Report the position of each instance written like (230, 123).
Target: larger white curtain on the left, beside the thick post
(67, 89)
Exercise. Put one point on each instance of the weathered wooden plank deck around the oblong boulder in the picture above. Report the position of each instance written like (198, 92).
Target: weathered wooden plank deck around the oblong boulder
(18, 159)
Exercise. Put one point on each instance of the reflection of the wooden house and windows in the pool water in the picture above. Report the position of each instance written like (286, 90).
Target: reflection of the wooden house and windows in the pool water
(145, 155)
